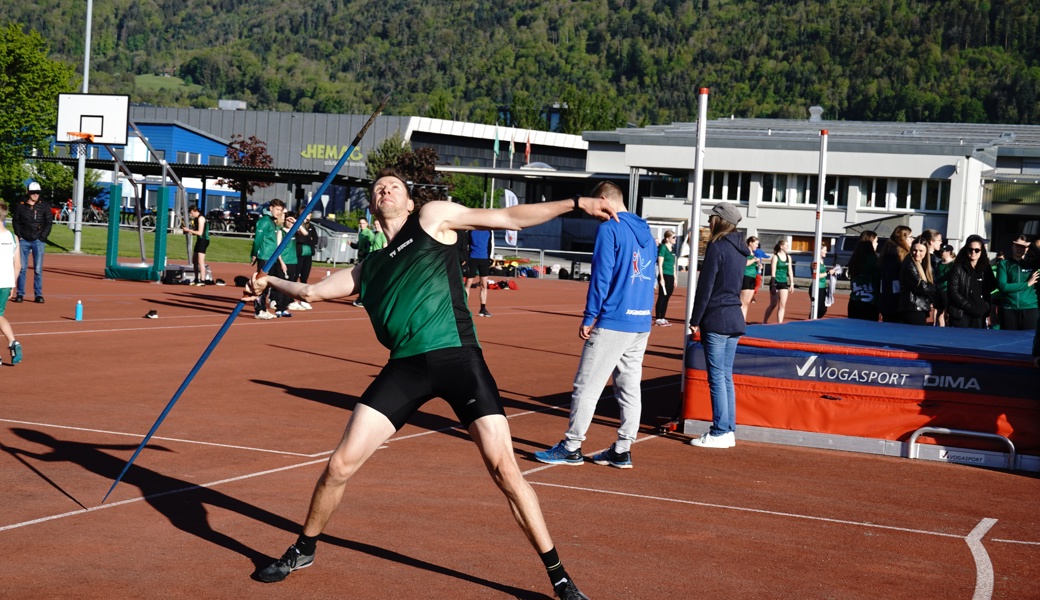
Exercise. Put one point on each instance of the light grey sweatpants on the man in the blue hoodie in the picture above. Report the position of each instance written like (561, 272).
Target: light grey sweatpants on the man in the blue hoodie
(606, 353)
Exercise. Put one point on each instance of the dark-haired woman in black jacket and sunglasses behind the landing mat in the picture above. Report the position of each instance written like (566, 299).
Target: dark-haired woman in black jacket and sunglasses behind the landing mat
(970, 286)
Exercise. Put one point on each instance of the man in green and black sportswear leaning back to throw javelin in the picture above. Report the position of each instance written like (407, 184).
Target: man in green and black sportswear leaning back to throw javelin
(413, 294)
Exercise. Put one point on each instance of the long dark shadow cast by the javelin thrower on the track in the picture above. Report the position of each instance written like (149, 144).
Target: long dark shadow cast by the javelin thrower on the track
(186, 505)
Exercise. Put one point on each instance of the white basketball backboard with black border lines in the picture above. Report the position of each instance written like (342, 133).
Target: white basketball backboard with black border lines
(102, 116)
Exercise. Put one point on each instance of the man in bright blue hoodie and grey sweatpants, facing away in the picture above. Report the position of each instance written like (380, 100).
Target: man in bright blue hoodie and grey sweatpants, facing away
(615, 329)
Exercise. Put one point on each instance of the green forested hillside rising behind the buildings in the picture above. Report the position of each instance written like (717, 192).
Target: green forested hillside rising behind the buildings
(611, 62)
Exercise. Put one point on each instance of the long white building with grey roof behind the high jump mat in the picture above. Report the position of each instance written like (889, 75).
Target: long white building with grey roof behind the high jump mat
(935, 176)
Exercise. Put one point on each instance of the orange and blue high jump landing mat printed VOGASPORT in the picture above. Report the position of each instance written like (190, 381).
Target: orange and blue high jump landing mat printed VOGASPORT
(970, 397)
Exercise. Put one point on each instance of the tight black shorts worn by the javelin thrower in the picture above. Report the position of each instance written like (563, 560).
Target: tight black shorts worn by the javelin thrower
(459, 376)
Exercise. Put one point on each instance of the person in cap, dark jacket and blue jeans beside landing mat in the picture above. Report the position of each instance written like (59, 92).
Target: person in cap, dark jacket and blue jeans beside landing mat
(718, 318)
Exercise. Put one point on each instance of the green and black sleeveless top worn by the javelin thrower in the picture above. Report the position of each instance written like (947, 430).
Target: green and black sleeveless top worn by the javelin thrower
(414, 296)
